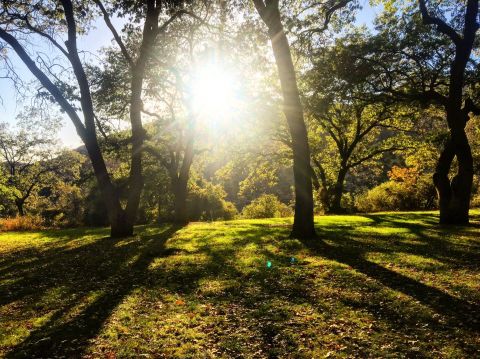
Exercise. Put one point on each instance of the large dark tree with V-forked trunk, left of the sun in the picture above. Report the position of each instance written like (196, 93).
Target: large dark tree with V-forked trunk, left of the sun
(47, 20)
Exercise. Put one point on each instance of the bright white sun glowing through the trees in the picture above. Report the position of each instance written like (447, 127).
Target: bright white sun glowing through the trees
(214, 94)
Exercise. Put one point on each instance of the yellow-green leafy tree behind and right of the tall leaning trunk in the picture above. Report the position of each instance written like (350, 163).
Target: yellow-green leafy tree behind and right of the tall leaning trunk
(347, 114)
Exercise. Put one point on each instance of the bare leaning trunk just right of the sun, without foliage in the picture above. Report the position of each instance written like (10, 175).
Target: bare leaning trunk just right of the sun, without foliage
(303, 223)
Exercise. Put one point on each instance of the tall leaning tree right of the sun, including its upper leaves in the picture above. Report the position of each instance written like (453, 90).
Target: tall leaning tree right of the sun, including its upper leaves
(307, 19)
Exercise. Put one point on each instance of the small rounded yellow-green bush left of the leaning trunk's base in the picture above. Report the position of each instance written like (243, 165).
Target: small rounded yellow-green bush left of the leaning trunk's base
(266, 206)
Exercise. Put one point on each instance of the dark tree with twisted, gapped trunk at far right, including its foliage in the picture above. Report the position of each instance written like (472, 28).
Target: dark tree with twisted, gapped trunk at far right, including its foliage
(436, 68)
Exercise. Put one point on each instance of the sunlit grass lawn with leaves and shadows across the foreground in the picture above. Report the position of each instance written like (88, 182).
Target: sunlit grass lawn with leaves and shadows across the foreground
(380, 285)
